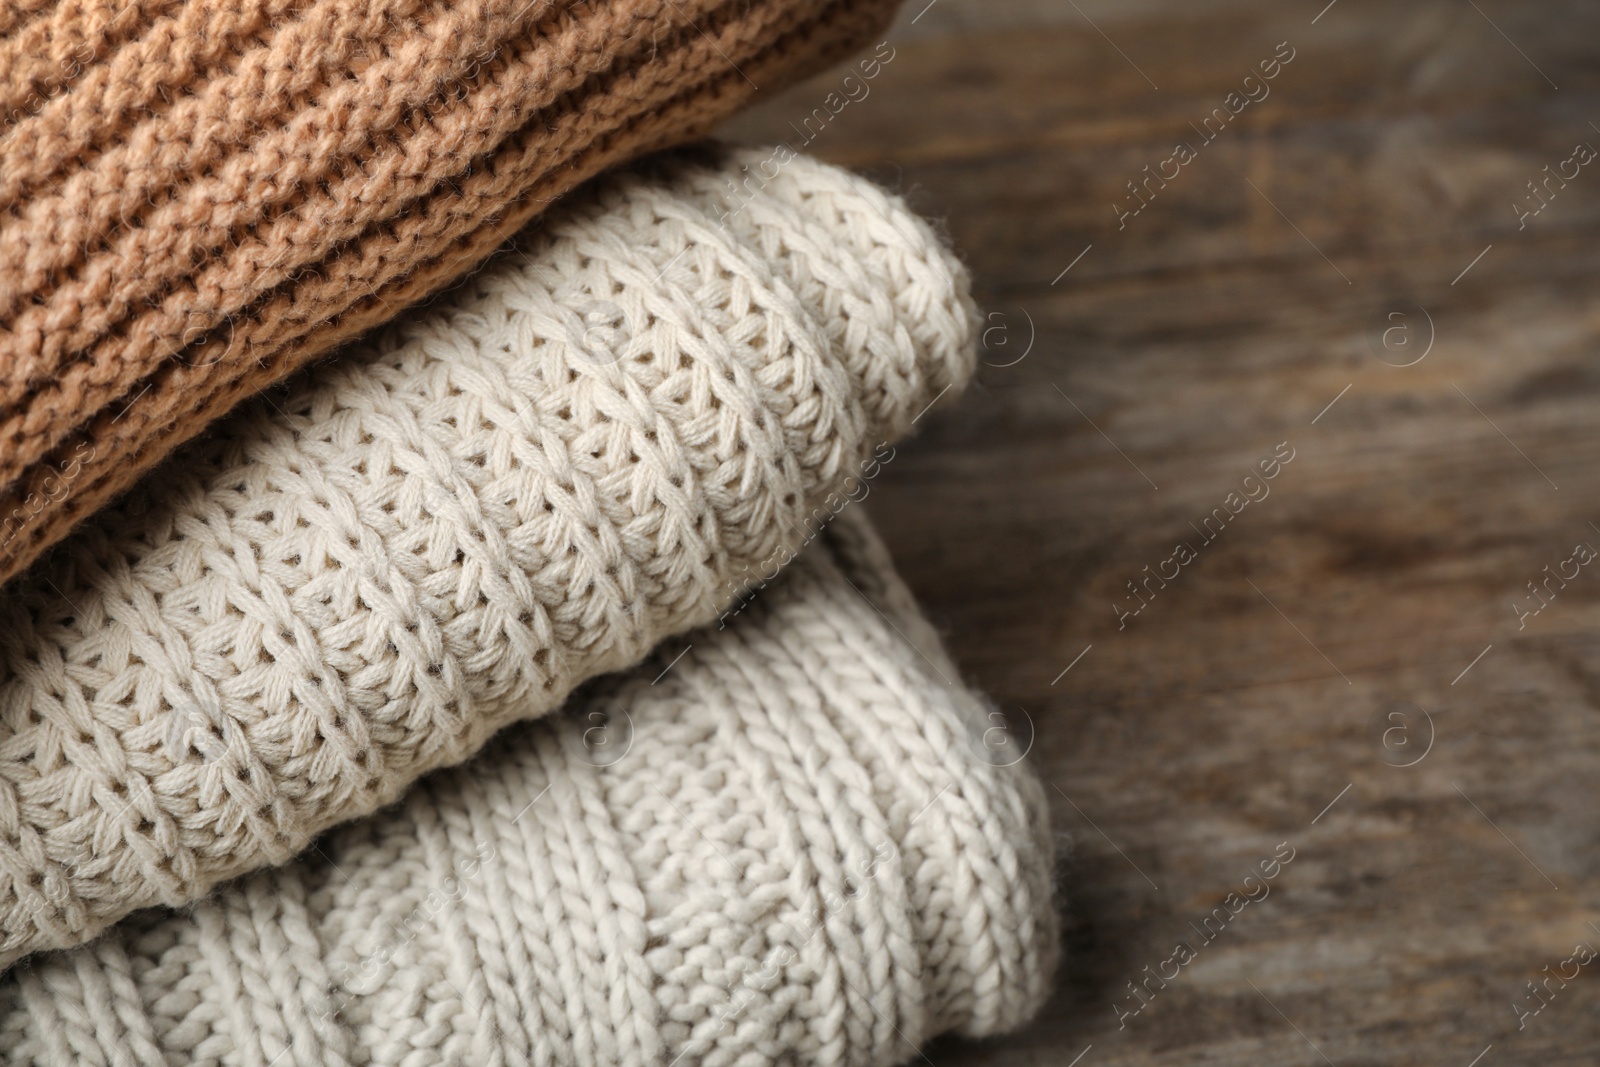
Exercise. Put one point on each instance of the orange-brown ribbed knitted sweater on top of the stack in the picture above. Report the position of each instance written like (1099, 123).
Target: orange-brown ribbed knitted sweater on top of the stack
(201, 196)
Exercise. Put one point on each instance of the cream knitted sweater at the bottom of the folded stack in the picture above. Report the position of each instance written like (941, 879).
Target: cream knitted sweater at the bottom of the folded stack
(791, 849)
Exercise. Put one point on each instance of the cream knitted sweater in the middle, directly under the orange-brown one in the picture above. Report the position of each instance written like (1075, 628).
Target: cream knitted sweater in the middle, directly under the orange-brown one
(359, 583)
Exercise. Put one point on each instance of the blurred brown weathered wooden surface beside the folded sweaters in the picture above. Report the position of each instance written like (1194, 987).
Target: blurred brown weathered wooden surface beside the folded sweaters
(1353, 663)
